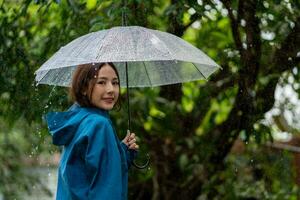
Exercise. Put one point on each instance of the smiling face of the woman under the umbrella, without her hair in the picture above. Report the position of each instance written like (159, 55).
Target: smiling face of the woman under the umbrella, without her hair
(106, 90)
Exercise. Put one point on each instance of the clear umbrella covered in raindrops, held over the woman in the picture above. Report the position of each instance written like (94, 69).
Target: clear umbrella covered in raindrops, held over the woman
(143, 57)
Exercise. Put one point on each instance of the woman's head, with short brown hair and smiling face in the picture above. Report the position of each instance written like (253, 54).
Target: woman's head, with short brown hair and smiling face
(89, 78)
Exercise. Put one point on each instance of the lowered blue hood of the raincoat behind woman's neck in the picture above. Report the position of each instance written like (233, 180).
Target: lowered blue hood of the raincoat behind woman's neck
(63, 125)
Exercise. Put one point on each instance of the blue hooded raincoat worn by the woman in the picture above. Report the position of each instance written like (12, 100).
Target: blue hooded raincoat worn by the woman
(94, 163)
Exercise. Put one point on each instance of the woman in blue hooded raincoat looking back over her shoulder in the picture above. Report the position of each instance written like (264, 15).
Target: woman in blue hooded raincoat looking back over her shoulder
(94, 163)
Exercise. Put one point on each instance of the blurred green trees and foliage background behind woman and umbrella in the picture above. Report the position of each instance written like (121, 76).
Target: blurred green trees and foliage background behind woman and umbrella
(235, 136)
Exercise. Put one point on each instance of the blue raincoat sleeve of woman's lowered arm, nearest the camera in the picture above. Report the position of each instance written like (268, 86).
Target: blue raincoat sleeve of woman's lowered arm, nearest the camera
(103, 162)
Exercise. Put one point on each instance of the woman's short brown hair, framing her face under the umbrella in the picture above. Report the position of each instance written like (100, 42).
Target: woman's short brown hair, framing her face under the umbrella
(83, 82)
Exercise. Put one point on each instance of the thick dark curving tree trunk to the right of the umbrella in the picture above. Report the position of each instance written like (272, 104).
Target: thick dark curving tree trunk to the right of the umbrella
(240, 117)
